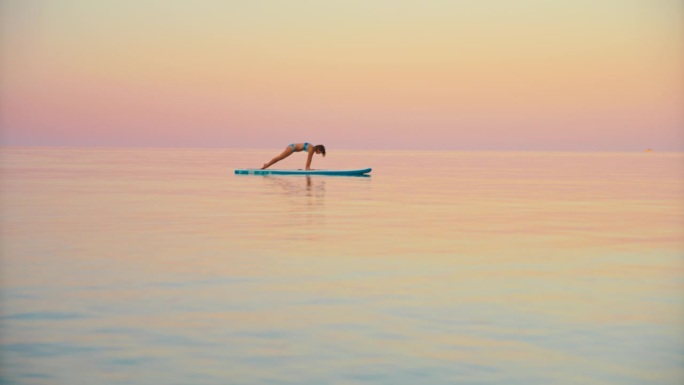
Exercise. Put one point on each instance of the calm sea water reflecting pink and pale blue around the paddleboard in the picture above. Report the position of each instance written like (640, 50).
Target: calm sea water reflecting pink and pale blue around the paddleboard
(160, 266)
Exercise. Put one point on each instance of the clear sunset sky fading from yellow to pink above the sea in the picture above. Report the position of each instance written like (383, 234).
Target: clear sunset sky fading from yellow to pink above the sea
(581, 75)
